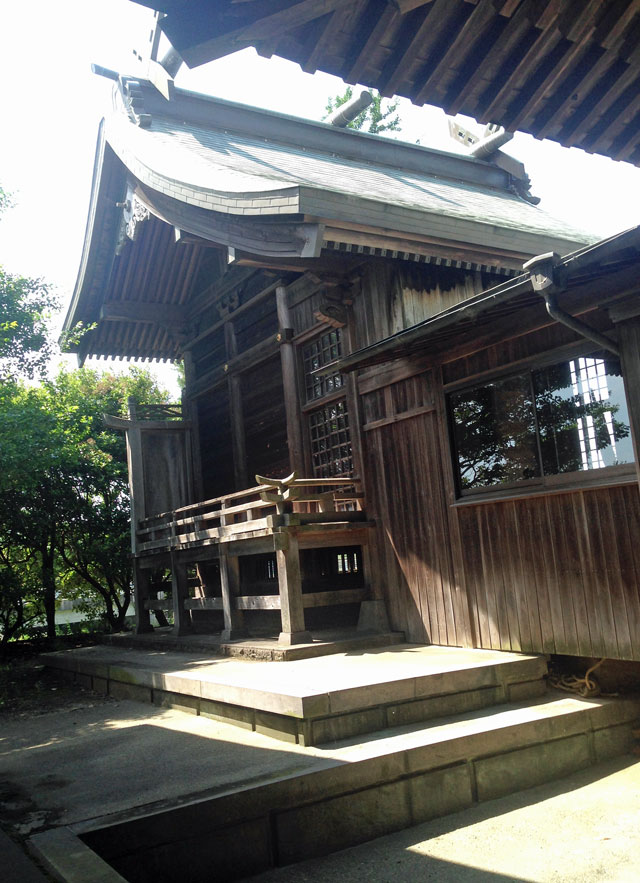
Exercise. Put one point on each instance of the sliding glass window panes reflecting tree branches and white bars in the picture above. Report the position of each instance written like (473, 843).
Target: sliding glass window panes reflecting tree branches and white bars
(567, 417)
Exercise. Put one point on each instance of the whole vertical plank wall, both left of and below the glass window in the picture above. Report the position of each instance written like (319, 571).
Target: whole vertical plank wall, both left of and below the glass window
(549, 573)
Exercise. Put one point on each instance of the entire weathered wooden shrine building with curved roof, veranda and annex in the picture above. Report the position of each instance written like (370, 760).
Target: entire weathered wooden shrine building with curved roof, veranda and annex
(440, 435)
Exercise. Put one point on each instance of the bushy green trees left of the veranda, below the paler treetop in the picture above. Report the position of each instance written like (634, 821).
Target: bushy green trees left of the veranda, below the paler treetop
(64, 489)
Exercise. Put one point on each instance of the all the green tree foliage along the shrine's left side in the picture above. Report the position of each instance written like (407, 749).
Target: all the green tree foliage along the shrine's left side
(64, 505)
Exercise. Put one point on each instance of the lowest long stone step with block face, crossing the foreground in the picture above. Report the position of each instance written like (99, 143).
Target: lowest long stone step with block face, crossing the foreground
(361, 791)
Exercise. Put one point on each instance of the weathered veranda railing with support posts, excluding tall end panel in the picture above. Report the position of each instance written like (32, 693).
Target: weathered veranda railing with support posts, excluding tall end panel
(276, 516)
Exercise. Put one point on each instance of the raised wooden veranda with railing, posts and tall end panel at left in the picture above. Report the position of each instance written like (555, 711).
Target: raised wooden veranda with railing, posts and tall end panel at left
(201, 544)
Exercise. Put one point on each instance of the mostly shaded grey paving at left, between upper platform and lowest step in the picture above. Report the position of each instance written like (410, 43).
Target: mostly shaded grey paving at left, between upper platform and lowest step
(89, 761)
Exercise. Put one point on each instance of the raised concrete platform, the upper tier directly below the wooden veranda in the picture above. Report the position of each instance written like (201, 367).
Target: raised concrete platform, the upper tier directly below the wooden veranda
(311, 701)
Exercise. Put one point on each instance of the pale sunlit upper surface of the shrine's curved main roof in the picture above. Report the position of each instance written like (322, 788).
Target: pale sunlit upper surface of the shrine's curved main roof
(241, 174)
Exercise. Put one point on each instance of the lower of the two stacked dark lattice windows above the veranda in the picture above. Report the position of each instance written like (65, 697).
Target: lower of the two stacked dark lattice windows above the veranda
(331, 452)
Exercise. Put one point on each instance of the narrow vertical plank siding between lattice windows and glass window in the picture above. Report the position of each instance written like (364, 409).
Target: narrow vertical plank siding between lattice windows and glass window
(406, 496)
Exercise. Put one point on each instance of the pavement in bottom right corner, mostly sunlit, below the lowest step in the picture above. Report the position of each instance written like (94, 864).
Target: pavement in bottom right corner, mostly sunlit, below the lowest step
(581, 829)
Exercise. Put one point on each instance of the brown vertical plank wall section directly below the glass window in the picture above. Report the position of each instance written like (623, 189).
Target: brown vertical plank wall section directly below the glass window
(557, 573)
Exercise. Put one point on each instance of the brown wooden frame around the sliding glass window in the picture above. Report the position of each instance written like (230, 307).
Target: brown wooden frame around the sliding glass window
(544, 484)
